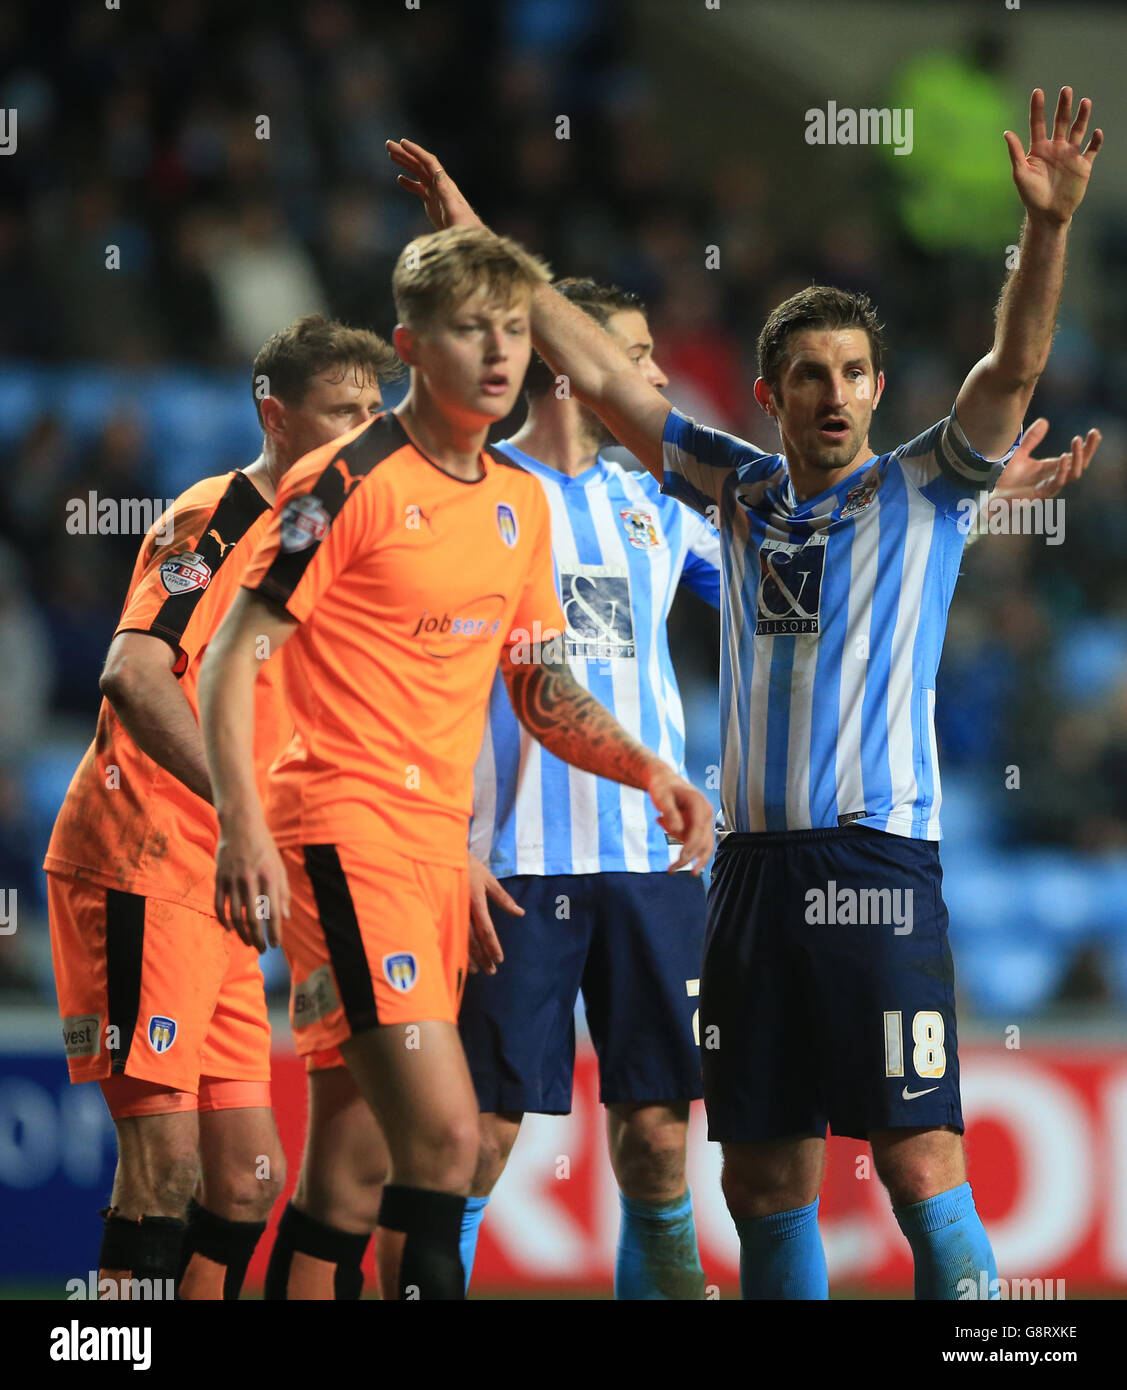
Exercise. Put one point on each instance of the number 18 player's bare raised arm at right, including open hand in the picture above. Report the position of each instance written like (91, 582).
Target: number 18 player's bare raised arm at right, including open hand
(1051, 181)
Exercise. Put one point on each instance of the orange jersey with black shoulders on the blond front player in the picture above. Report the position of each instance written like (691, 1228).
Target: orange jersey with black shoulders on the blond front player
(408, 584)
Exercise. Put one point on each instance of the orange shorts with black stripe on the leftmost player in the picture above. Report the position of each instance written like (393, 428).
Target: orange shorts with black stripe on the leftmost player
(154, 990)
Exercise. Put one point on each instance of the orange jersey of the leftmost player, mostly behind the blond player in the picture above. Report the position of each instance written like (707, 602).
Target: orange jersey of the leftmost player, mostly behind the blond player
(126, 822)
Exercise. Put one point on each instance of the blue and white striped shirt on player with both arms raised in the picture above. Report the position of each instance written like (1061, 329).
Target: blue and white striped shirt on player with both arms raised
(833, 619)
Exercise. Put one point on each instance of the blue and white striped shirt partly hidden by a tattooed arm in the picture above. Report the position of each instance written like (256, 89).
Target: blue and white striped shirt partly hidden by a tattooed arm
(620, 550)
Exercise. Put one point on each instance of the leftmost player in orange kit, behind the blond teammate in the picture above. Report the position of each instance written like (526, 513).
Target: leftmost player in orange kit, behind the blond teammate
(161, 1004)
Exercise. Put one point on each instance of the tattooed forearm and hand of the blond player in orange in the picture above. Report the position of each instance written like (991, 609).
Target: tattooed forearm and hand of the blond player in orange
(576, 728)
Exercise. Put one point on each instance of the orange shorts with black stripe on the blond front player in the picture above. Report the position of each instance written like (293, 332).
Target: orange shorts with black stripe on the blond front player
(372, 939)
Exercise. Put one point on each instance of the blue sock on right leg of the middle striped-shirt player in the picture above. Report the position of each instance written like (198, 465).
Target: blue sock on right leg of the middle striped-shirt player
(658, 1254)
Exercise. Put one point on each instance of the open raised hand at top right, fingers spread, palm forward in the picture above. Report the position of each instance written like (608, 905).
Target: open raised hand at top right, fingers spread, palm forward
(1054, 177)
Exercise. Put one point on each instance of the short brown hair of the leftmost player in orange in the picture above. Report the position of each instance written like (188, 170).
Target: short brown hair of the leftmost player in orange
(293, 358)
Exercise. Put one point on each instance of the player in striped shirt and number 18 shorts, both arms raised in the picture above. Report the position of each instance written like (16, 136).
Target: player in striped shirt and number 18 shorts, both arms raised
(828, 988)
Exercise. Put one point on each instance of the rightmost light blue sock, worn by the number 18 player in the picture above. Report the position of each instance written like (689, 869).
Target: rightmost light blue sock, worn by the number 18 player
(950, 1246)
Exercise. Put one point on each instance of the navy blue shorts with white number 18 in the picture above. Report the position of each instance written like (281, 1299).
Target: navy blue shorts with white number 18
(828, 995)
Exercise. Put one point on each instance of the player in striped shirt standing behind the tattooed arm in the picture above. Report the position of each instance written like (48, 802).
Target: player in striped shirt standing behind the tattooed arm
(584, 858)
